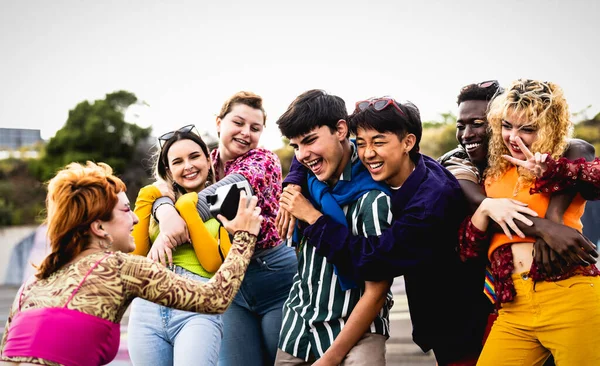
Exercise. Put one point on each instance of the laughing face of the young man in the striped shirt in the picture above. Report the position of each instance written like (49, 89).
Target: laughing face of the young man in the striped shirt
(324, 152)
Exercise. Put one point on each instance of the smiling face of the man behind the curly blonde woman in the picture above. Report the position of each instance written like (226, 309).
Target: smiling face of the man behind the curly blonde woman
(472, 130)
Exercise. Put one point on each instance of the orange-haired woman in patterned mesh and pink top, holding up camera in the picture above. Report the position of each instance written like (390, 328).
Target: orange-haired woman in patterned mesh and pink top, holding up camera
(69, 313)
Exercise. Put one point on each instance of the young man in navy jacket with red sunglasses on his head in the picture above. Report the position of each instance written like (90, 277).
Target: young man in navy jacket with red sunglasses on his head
(444, 294)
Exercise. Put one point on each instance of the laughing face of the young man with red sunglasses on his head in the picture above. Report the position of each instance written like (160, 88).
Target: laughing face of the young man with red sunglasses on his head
(385, 155)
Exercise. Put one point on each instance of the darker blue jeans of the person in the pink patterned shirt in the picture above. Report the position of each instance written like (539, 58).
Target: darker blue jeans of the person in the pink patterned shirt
(253, 321)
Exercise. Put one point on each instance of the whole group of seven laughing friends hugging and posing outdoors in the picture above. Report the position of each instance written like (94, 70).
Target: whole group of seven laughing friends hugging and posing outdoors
(487, 237)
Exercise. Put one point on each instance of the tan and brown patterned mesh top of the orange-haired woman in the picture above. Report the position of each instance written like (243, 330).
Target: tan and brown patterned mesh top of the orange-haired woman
(119, 278)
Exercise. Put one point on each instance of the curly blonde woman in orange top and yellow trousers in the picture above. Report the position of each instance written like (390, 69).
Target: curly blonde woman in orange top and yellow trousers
(539, 314)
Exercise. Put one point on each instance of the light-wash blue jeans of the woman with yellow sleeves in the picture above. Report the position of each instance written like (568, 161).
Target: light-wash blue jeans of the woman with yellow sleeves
(159, 336)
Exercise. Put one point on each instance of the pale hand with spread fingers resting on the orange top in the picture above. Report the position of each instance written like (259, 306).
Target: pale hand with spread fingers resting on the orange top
(504, 211)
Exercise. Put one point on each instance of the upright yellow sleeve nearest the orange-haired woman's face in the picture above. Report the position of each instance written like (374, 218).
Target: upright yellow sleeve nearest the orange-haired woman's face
(143, 210)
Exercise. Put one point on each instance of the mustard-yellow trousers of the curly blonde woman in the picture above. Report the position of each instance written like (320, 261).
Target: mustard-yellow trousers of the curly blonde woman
(560, 317)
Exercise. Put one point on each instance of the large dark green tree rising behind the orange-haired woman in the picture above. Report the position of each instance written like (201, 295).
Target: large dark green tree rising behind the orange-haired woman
(93, 131)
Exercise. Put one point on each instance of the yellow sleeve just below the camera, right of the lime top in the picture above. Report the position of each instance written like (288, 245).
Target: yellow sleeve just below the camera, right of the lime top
(204, 243)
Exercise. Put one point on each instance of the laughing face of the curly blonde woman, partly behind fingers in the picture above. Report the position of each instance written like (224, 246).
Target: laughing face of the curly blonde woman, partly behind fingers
(518, 124)
